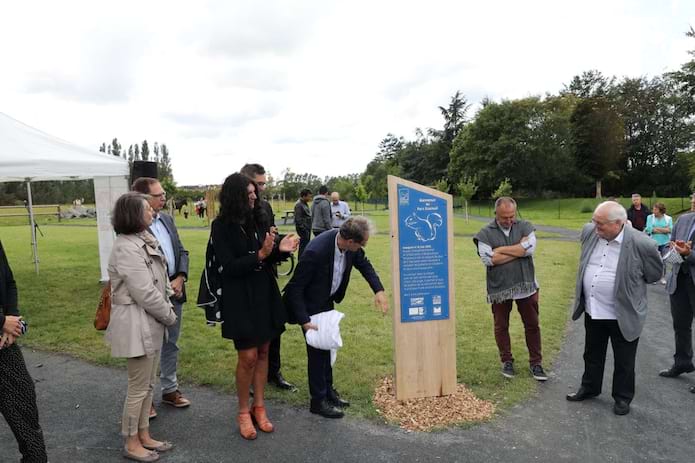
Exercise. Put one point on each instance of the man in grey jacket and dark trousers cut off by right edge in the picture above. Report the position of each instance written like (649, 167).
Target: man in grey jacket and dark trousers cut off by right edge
(680, 285)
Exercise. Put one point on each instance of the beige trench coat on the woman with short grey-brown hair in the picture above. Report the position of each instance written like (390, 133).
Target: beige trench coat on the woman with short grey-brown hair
(140, 307)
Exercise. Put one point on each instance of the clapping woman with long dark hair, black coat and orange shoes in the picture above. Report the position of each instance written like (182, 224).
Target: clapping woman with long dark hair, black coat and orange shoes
(244, 255)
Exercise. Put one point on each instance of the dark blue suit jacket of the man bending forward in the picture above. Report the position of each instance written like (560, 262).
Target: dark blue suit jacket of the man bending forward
(309, 290)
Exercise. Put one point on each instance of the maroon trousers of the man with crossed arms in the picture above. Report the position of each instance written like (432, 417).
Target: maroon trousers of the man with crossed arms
(528, 309)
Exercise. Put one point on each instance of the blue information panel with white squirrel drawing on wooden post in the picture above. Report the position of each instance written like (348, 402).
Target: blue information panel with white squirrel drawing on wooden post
(424, 256)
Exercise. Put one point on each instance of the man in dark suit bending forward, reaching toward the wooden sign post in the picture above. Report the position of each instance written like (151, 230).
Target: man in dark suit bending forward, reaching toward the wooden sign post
(320, 281)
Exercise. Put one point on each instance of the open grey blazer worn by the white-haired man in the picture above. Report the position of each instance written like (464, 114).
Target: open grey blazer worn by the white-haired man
(639, 263)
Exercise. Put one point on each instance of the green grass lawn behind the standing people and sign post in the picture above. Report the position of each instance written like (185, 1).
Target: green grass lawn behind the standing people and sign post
(60, 302)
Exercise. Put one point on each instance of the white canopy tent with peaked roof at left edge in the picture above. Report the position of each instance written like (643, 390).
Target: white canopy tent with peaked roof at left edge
(30, 155)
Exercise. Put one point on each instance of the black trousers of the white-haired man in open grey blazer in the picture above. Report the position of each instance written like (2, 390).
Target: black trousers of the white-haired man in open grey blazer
(598, 332)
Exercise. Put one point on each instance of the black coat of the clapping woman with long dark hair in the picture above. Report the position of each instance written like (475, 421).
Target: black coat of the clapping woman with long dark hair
(250, 301)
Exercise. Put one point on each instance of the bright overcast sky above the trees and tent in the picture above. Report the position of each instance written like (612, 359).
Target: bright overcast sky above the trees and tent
(312, 86)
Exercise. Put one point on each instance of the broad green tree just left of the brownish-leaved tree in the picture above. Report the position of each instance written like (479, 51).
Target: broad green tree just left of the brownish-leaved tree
(526, 140)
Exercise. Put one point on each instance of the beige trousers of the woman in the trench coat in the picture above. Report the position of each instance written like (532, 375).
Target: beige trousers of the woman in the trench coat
(142, 374)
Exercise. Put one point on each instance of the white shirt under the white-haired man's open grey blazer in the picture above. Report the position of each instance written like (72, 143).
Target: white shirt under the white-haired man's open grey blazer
(599, 279)
